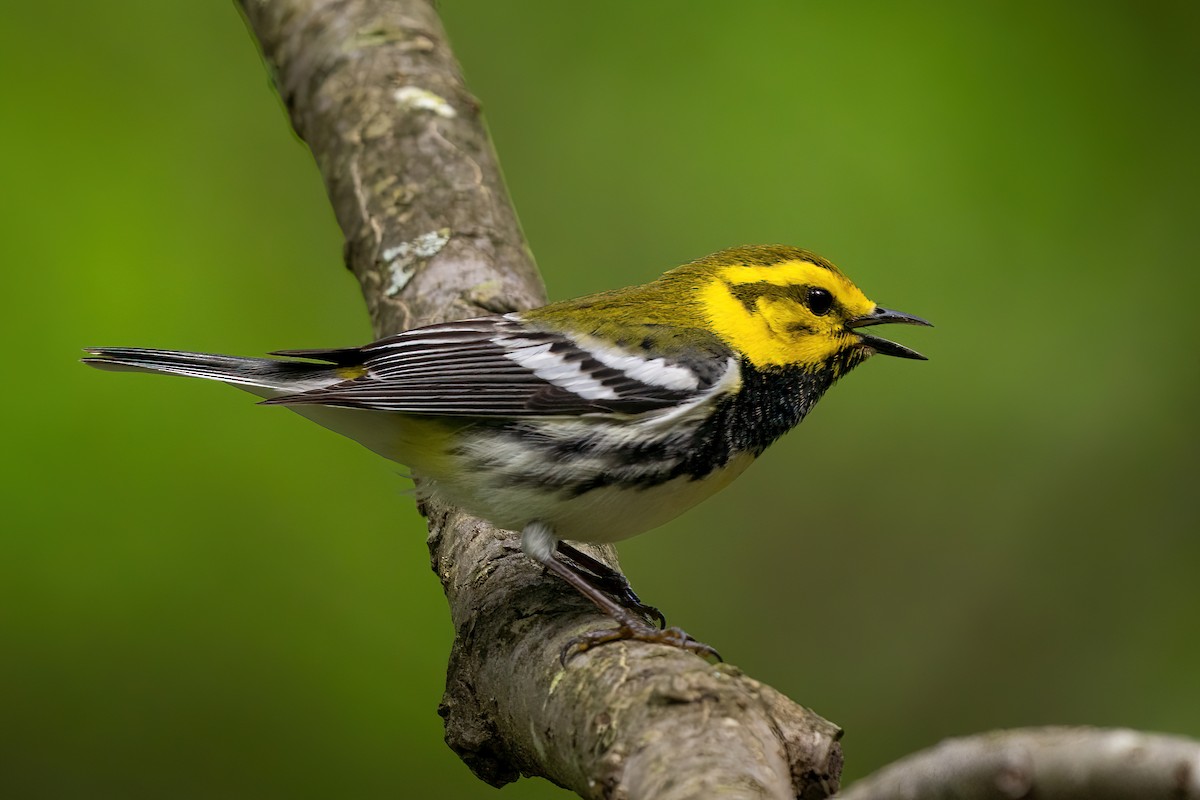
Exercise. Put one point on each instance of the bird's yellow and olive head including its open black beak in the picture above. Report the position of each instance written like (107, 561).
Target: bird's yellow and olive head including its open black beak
(788, 308)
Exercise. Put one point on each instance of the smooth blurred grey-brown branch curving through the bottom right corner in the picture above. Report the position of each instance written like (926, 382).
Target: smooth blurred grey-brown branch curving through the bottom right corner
(1046, 763)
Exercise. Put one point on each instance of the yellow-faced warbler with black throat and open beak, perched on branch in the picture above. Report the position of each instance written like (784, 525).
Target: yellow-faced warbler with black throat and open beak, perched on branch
(587, 420)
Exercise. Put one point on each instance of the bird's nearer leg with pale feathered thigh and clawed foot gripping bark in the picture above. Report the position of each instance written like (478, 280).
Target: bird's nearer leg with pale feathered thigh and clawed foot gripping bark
(539, 542)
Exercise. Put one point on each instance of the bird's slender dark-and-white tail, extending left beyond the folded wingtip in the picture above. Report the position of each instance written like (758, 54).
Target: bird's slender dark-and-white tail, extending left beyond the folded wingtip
(273, 375)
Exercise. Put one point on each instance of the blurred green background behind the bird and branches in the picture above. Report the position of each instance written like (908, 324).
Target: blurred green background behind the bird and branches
(201, 598)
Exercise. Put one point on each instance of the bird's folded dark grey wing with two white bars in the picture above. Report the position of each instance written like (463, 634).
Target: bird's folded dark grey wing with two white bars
(502, 366)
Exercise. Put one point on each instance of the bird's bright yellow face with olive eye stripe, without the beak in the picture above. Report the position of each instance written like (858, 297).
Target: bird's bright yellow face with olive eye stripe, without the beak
(790, 314)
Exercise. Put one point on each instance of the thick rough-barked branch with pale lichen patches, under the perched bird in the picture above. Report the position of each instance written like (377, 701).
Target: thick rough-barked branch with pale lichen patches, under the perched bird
(374, 89)
